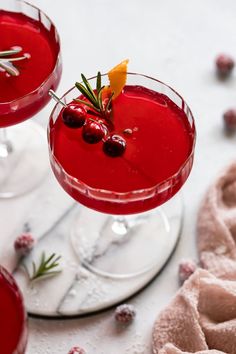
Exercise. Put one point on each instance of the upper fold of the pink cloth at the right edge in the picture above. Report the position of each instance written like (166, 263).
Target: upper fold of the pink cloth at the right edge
(216, 226)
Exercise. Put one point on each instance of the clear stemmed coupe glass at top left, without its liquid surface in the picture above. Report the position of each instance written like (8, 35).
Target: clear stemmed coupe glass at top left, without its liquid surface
(23, 156)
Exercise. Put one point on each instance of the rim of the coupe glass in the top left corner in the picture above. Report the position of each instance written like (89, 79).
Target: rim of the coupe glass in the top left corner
(57, 62)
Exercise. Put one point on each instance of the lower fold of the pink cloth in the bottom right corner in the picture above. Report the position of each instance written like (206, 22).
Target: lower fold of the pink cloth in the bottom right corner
(202, 316)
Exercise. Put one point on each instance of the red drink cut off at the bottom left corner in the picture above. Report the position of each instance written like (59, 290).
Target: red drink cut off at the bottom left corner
(12, 316)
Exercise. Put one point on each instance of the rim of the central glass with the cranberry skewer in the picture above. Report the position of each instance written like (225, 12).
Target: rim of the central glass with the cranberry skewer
(148, 190)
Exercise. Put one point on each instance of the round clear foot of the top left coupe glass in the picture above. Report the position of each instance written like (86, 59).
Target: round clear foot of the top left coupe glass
(23, 159)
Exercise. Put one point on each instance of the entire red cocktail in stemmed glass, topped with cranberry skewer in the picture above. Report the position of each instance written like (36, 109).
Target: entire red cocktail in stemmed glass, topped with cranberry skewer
(153, 157)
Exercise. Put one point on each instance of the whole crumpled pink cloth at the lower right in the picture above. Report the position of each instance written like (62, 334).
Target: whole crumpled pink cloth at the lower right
(201, 318)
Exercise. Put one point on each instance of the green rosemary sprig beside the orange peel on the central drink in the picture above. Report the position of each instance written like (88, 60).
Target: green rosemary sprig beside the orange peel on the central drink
(94, 98)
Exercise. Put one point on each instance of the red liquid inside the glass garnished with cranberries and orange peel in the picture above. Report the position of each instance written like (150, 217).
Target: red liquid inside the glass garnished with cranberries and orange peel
(161, 142)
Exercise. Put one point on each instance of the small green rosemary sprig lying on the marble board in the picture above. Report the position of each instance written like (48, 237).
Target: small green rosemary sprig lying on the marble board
(45, 268)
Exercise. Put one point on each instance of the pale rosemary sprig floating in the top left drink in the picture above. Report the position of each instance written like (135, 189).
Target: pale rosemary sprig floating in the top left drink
(6, 62)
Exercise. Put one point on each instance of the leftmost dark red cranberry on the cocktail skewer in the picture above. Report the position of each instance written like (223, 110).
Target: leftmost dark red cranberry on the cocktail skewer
(74, 116)
